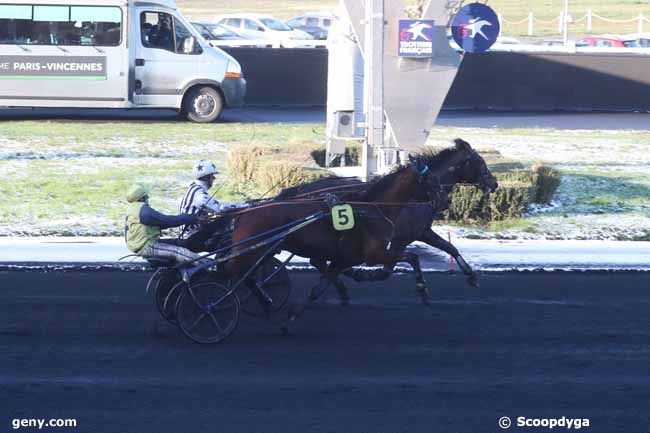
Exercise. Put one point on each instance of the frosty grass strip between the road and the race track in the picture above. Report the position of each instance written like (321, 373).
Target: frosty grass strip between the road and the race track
(68, 178)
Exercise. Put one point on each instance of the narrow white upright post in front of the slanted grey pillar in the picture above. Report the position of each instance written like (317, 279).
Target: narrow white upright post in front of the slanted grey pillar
(374, 85)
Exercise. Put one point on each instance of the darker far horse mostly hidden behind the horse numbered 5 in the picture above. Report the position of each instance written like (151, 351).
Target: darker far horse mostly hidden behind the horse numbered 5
(463, 165)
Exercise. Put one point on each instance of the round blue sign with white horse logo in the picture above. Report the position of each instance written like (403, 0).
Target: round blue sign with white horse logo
(475, 27)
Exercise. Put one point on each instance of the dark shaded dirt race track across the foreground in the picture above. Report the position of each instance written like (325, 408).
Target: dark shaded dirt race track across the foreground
(90, 346)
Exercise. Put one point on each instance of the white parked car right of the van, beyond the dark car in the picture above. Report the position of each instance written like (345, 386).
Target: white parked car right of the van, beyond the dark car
(258, 26)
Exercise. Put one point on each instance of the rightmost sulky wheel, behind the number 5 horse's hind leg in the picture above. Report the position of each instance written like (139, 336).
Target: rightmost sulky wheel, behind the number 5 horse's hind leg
(273, 278)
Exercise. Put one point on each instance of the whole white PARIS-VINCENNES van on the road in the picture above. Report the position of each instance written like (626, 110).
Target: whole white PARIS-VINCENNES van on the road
(112, 54)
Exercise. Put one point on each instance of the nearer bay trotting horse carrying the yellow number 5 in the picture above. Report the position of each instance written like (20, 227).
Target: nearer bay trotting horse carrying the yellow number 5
(332, 251)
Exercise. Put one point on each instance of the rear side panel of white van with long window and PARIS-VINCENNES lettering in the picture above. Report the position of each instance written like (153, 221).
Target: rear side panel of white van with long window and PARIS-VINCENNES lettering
(49, 50)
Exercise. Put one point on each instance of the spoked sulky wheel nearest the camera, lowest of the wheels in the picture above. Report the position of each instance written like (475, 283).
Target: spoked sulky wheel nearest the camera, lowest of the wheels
(207, 312)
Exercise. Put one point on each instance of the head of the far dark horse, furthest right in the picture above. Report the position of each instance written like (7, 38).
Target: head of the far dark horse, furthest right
(469, 167)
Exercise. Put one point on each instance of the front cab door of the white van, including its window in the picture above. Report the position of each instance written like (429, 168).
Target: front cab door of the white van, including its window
(167, 56)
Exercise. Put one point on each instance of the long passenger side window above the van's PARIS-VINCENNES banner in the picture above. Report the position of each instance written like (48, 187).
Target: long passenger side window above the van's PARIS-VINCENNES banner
(60, 25)
